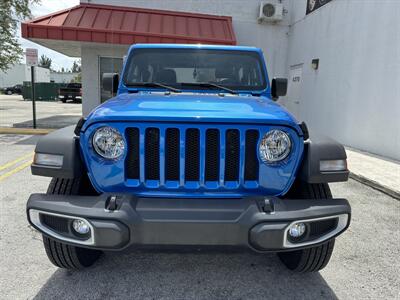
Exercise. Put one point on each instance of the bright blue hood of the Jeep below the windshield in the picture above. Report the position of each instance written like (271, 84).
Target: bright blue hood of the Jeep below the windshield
(191, 107)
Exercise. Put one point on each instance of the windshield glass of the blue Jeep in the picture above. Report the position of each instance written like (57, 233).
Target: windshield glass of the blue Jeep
(191, 69)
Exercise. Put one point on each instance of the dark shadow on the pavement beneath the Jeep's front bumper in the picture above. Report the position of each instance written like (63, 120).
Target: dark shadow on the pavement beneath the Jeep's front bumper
(202, 275)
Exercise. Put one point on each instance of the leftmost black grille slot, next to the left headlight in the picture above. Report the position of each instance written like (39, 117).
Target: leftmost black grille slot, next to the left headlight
(132, 161)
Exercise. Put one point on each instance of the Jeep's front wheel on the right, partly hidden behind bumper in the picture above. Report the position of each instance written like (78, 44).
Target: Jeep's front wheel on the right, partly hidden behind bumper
(315, 258)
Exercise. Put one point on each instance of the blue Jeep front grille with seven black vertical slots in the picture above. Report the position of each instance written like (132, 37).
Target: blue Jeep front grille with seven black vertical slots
(192, 157)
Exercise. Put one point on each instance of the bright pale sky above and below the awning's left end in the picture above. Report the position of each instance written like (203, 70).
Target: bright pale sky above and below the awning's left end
(46, 7)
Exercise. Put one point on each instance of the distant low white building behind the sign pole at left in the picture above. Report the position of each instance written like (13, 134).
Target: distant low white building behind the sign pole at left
(19, 73)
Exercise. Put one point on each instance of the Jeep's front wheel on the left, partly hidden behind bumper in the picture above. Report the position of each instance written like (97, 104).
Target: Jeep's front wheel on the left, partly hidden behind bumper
(60, 254)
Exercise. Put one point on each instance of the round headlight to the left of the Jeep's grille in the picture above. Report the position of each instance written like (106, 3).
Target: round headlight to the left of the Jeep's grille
(108, 143)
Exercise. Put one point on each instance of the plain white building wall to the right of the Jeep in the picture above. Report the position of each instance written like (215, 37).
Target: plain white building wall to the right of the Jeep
(354, 96)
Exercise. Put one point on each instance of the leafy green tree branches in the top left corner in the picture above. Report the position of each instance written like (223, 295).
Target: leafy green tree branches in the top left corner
(11, 13)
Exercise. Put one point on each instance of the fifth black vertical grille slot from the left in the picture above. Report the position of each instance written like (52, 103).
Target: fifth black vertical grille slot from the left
(212, 155)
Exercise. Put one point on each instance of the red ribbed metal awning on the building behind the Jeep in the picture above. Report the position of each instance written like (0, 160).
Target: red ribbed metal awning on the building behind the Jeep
(127, 25)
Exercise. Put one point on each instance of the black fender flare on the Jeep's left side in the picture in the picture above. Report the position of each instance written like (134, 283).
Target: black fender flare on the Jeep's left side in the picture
(60, 142)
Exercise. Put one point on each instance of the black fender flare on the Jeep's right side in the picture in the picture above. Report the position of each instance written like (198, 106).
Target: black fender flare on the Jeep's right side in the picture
(317, 148)
